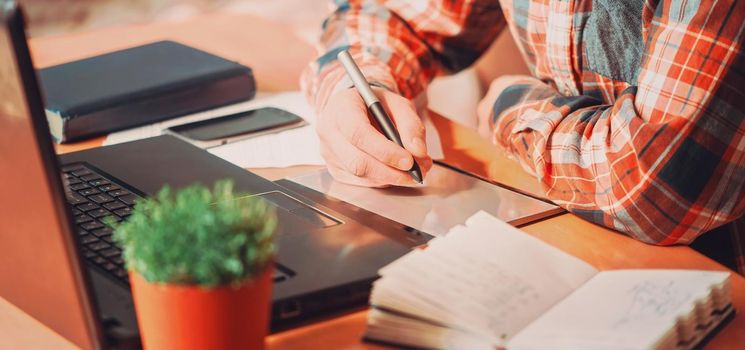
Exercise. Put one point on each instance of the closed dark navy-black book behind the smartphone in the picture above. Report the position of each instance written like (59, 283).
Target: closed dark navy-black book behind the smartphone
(137, 86)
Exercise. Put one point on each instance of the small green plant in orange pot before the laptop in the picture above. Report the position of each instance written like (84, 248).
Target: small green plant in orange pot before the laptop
(200, 263)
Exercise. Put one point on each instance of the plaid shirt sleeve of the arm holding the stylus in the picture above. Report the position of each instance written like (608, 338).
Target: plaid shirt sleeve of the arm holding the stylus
(400, 44)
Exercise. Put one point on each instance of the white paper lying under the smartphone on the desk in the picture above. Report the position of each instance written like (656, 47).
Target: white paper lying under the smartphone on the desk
(297, 146)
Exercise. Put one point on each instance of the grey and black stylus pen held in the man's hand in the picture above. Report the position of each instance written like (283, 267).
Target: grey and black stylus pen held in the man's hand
(375, 107)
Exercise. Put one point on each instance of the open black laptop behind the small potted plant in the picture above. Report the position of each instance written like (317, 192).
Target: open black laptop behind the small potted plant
(59, 264)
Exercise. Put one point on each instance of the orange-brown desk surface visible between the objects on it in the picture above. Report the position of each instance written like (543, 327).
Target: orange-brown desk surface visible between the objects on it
(277, 57)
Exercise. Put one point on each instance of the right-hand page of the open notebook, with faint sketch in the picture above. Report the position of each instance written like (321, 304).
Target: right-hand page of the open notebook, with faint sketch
(622, 309)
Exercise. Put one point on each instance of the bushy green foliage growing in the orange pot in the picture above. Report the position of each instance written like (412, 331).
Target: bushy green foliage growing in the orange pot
(198, 237)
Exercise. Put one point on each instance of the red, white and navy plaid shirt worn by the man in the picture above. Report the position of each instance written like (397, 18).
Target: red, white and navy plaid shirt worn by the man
(634, 117)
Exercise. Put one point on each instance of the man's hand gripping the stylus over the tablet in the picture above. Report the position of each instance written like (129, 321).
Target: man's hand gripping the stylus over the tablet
(357, 153)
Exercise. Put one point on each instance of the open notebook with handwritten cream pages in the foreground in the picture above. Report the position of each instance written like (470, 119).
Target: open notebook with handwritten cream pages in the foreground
(487, 285)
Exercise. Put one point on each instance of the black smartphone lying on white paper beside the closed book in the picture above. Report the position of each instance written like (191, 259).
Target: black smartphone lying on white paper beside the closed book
(234, 127)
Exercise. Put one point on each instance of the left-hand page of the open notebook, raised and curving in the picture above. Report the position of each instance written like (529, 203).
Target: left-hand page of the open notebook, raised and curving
(487, 278)
